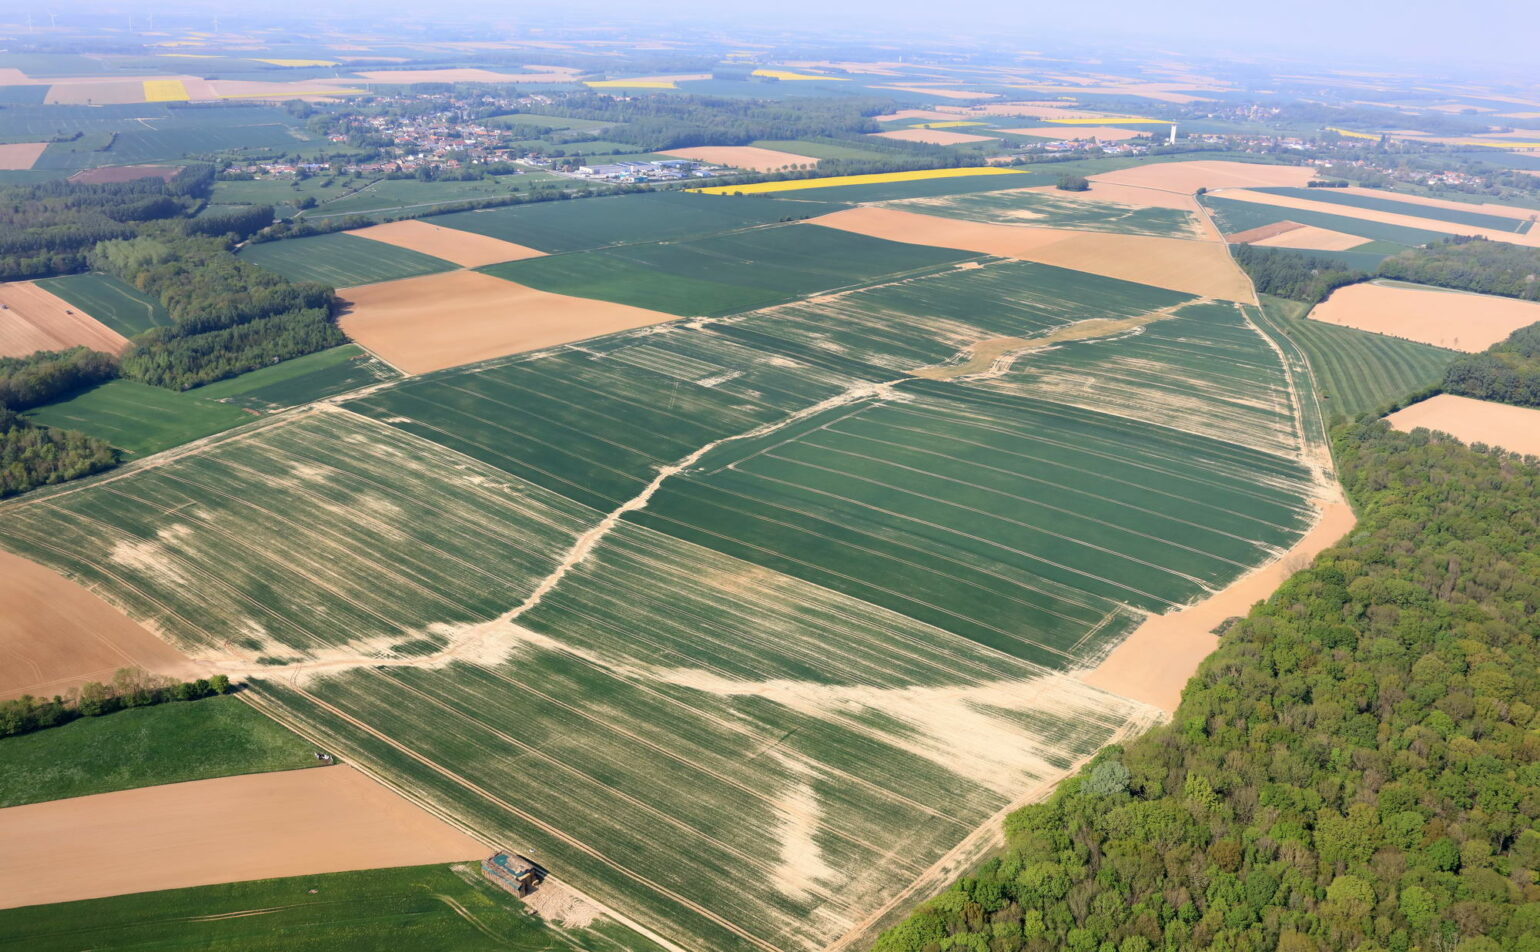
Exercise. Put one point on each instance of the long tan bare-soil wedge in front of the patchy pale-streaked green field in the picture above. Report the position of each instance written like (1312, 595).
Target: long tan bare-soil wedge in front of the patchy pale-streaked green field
(1202, 269)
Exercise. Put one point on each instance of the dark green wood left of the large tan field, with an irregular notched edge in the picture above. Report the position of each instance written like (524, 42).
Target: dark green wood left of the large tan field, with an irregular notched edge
(229, 317)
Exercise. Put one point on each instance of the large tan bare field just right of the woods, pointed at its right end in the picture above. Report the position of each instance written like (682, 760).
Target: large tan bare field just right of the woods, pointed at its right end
(421, 324)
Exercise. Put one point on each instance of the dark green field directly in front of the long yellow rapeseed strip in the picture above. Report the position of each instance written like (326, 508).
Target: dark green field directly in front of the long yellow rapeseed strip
(624, 220)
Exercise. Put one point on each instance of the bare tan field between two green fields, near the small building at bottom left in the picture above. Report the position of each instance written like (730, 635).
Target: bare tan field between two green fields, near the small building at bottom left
(216, 831)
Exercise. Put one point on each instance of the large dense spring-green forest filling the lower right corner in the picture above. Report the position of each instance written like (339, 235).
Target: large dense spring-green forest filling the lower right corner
(1358, 768)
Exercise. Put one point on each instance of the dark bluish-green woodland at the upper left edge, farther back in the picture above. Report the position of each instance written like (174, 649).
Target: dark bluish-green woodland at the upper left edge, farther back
(50, 227)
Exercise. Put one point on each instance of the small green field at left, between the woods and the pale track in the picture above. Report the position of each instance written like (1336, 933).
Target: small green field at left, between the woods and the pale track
(141, 420)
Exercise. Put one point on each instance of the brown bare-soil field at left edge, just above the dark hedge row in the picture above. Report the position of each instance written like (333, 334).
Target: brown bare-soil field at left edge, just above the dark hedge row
(58, 635)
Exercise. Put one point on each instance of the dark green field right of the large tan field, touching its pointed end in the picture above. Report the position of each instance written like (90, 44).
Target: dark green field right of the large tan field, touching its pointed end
(726, 273)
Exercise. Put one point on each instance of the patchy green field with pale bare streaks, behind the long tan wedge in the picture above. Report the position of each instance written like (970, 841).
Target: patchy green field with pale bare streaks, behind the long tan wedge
(1054, 212)
